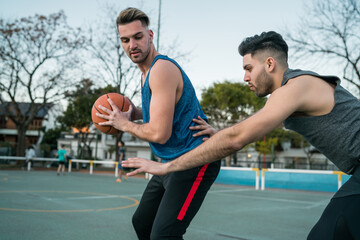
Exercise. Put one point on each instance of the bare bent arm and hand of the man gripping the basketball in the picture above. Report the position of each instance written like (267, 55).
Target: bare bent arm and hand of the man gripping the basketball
(164, 81)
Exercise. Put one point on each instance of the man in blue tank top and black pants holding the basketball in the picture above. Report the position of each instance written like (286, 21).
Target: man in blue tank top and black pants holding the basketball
(169, 104)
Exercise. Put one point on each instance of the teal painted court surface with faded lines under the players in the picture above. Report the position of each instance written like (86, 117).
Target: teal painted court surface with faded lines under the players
(41, 205)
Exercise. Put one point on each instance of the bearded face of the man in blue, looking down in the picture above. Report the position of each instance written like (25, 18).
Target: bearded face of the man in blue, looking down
(136, 40)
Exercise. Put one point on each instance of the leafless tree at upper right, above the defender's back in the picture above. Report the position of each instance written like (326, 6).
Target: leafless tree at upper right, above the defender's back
(330, 31)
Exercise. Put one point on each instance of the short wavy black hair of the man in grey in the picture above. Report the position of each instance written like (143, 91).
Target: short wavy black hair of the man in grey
(266, 41)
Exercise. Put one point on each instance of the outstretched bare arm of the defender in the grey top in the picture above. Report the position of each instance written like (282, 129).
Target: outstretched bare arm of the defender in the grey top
(279, 106)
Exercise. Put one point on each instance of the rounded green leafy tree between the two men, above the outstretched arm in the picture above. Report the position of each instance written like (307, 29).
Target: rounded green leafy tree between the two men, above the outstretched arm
(226, 103)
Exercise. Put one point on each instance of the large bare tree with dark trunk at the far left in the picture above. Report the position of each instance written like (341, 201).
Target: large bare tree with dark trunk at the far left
(36, 62)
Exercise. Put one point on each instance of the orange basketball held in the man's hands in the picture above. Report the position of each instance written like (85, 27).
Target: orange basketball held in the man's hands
(120, 101)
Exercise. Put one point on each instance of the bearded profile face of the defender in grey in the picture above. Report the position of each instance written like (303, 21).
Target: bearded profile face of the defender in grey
(256, 76)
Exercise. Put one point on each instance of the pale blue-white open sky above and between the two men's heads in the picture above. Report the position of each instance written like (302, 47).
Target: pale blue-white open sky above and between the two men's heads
(210, 30)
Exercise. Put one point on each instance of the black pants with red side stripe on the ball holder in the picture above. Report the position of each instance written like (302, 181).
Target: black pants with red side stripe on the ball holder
(170, 202)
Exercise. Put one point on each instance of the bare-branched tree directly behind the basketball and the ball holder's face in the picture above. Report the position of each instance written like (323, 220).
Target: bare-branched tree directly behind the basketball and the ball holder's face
(109, 61)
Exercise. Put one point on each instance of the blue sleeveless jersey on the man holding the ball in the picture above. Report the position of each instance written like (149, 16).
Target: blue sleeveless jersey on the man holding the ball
(187, 108)
